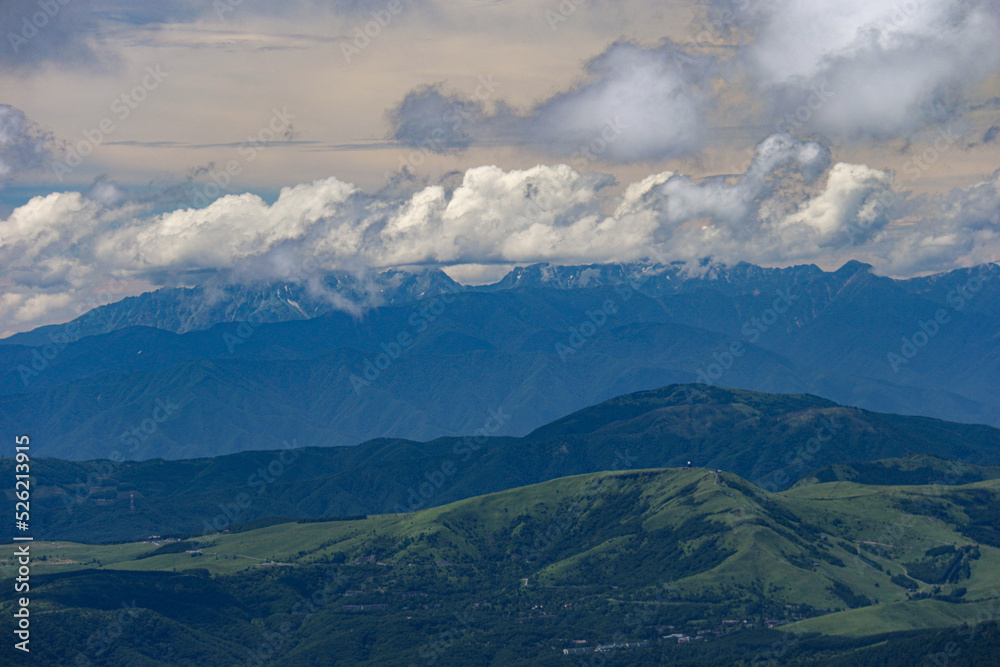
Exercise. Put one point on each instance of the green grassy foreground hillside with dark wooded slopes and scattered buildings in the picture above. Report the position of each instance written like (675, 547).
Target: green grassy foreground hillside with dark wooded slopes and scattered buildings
(512, 577)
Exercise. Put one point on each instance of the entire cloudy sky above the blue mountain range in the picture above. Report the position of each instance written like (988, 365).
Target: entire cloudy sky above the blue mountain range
(178, 142)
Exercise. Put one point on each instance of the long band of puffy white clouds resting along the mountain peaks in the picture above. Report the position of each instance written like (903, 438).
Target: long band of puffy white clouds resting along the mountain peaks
(793, 204)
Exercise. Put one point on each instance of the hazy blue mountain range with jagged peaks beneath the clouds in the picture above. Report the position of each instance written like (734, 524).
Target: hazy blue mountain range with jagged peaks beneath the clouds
(541, 343)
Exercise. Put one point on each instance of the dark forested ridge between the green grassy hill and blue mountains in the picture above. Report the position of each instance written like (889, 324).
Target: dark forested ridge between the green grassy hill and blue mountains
(771, 439)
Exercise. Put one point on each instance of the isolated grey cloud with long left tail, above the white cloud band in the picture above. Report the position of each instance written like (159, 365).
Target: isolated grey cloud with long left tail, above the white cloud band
(634, 104)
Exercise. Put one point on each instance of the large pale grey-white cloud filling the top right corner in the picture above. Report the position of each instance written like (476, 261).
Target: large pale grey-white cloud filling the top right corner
(866, 68)
